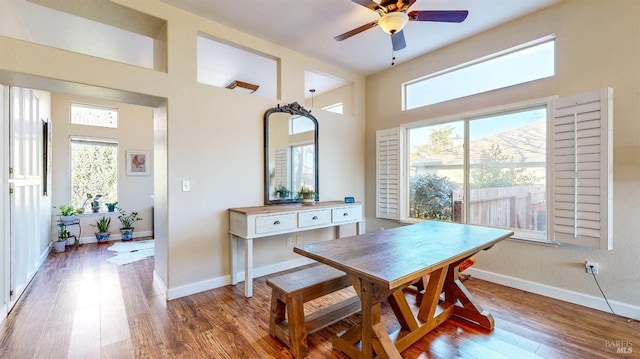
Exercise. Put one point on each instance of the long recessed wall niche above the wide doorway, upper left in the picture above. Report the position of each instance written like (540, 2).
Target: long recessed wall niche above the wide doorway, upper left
(70, 30)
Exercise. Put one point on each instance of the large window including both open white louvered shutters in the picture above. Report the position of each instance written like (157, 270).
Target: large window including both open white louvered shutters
(504, 169)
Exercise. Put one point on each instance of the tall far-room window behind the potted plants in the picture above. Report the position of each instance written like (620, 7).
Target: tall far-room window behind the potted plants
(94, 170)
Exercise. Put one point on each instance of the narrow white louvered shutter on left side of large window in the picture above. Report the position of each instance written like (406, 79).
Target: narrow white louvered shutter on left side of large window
(388, 166)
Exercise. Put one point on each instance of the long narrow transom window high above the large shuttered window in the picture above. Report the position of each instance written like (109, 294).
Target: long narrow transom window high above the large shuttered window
(524, 63)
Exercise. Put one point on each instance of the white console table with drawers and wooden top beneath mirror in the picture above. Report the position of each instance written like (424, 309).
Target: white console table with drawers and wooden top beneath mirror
(249, 223)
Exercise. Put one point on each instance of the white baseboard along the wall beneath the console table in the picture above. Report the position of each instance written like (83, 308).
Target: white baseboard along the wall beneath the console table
(218, 282)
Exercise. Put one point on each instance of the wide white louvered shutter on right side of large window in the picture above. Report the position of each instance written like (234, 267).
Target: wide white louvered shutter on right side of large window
(582, 174)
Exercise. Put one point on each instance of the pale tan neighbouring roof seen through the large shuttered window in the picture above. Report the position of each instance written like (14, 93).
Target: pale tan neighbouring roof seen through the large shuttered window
(525, 144)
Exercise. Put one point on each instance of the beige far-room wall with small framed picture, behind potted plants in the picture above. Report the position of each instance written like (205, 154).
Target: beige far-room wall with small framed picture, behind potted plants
(134, 132)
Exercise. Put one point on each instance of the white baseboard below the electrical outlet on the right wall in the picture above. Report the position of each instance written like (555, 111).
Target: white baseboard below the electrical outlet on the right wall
(621, 309)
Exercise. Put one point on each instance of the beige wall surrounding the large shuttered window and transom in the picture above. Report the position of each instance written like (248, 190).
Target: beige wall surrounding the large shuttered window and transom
(596, 47)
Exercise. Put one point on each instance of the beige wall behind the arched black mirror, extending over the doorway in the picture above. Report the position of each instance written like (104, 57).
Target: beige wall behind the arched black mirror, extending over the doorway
(208, 135)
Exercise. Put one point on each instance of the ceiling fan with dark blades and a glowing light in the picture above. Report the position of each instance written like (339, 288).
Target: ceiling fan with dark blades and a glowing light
(393, 18)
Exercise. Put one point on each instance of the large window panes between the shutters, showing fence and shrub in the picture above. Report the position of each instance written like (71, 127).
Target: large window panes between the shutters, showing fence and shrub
(504, 177)
